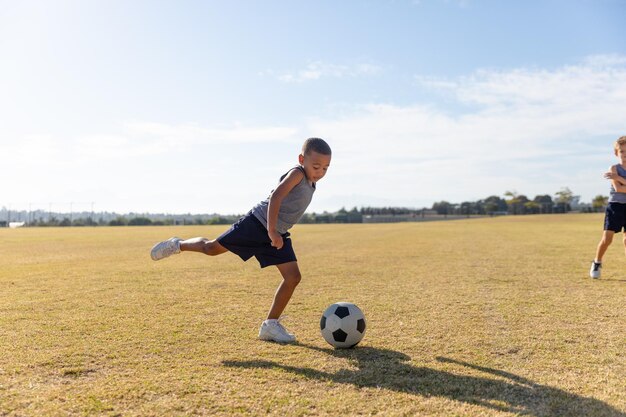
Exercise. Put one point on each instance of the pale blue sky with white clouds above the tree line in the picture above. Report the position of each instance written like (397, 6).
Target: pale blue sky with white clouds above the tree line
(199, 106)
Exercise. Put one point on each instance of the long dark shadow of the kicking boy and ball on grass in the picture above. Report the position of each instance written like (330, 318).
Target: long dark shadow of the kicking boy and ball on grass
(501, 391)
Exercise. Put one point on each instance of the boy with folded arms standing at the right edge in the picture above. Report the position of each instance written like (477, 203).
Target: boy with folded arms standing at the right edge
(615, 216)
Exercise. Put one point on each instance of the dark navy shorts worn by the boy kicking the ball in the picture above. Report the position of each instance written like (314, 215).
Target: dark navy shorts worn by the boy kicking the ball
(248, 237)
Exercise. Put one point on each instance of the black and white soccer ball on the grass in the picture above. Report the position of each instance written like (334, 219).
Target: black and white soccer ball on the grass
(343, 325)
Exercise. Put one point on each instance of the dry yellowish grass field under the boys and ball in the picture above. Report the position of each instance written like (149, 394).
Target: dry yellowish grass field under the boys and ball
(472, 317)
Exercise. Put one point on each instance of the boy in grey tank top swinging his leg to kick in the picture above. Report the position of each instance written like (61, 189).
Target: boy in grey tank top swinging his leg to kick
(263, 232)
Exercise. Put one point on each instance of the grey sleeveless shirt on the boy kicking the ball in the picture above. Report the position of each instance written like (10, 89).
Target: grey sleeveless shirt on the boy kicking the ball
(292, 207)
